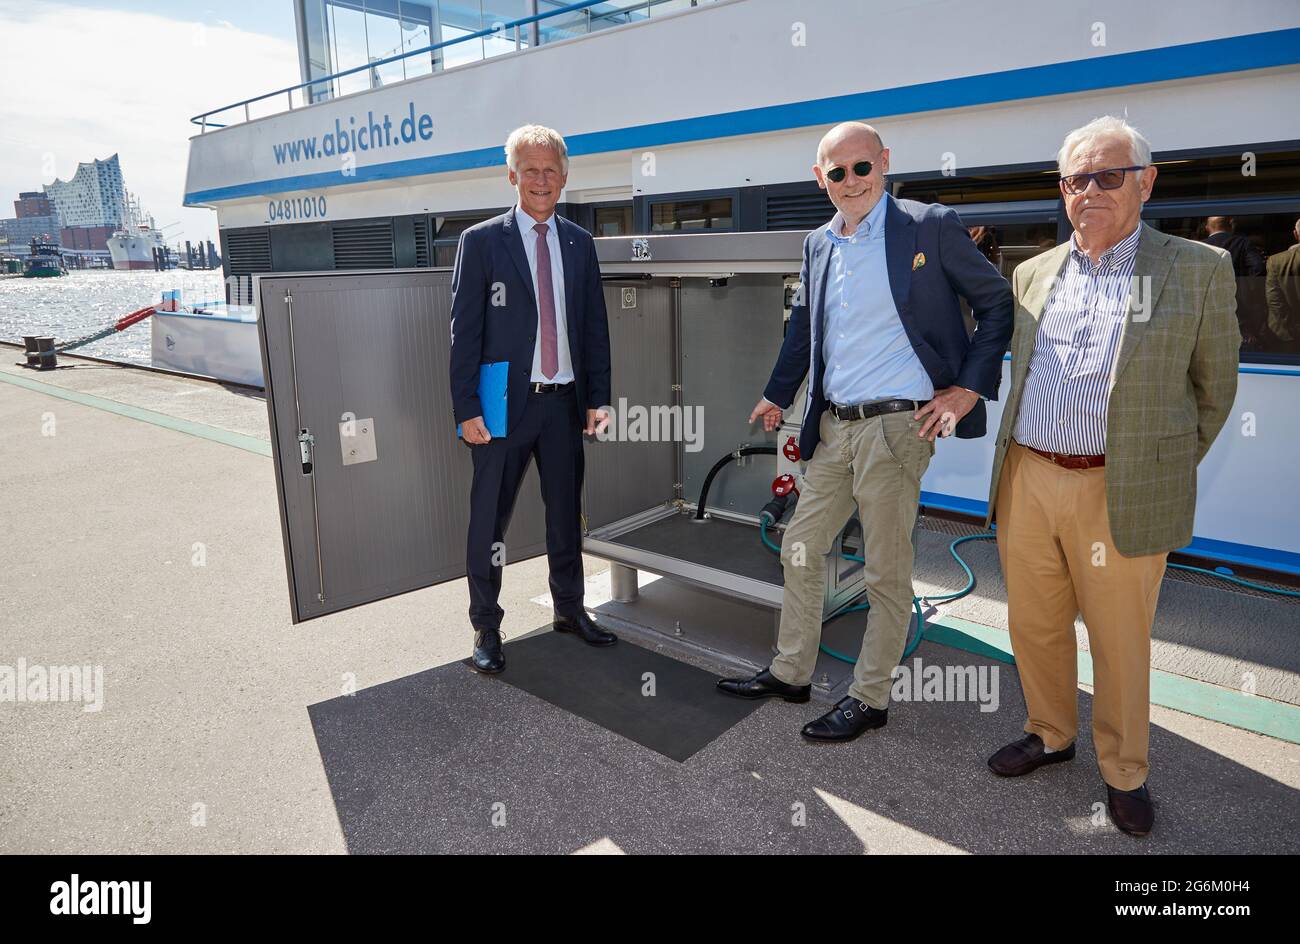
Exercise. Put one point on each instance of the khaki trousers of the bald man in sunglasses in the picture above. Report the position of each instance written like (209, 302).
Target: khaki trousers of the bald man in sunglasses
(874, 466)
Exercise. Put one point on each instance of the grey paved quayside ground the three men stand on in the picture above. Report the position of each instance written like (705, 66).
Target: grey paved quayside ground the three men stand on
(228, 729)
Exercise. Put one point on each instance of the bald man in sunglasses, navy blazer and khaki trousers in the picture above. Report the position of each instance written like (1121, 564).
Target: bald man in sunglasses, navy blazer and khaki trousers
(879, 331)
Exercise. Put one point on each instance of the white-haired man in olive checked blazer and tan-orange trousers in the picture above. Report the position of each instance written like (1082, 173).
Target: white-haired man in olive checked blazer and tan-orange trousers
(1124, 371)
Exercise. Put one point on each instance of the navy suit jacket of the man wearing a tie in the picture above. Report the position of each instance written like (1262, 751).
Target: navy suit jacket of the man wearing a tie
(495, 317)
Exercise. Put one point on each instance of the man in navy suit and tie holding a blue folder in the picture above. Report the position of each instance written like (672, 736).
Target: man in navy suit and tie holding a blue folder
(527, 291)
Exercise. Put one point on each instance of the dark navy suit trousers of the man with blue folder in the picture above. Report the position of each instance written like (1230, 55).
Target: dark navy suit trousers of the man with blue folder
(552, 432)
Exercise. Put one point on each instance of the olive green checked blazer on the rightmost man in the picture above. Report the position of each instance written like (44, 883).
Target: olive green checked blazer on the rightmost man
(1172, 389)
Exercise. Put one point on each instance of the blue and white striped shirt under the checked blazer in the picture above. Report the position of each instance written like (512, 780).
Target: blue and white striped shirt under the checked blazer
(1068, 389)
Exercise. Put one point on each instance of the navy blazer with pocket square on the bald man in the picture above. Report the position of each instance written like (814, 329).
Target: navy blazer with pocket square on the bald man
(931, 261)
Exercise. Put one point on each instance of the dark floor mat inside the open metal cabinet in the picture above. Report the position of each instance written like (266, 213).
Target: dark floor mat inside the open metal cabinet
(713, 543)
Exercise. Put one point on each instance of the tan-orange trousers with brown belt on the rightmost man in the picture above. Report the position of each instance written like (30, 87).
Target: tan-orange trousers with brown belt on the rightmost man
(1054, 539)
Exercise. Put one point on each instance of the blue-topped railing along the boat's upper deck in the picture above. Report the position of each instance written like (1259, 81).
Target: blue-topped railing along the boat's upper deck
(319, 90)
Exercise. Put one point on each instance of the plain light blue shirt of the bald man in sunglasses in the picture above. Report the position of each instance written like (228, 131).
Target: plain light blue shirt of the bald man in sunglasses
(866, 353)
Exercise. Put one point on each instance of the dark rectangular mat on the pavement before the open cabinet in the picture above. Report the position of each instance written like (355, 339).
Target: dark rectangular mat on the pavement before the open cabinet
(658, 703)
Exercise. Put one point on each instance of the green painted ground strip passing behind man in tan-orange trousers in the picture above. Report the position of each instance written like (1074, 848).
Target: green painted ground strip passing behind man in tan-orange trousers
(1190, 696)
